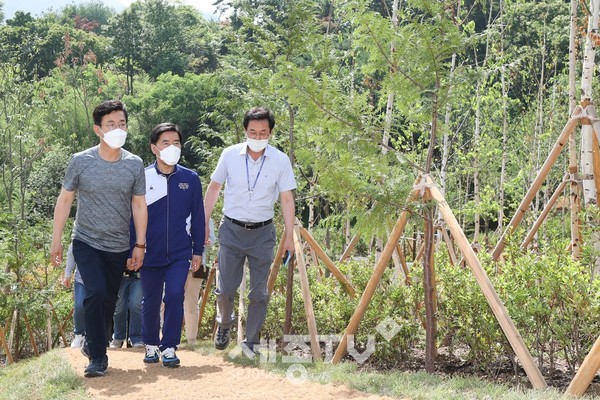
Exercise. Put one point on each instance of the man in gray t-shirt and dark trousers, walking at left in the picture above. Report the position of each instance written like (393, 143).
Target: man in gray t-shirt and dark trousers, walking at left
(110, 185)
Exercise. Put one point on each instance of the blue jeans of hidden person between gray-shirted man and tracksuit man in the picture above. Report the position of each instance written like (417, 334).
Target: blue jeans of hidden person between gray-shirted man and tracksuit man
(130, 299)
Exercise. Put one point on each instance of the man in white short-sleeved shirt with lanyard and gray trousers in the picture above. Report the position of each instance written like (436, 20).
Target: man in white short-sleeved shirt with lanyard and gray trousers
(254, 174)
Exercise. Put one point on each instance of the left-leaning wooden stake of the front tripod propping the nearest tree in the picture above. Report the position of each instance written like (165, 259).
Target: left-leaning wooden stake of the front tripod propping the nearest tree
(374, 280)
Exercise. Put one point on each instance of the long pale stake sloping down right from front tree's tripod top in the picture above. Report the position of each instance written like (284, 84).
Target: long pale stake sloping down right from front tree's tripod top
(506, 323)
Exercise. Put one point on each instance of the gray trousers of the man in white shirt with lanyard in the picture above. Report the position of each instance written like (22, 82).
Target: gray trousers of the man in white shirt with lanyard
(236, 244)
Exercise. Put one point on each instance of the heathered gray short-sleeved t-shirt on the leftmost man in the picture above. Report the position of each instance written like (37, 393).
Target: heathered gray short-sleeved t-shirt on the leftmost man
(104, 192)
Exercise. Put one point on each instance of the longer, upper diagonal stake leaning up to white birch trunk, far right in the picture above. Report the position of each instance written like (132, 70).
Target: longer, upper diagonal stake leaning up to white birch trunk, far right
(537, 183)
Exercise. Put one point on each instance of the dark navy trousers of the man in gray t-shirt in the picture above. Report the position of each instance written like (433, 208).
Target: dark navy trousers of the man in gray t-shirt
(101, 272)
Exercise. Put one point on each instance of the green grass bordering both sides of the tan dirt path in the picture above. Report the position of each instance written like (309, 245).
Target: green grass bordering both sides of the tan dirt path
(51, 376)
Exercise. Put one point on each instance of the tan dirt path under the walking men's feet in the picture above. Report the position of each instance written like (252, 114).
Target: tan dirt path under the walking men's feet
(199, 376)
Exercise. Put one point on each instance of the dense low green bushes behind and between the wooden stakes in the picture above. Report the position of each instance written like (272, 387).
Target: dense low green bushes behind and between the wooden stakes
(550, 298)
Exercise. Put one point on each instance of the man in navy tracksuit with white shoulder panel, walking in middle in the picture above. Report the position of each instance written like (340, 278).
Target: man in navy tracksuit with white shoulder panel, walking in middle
(175, 237)
